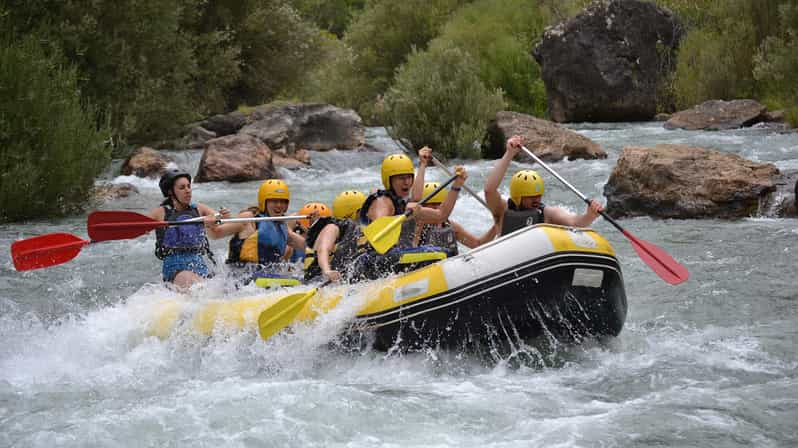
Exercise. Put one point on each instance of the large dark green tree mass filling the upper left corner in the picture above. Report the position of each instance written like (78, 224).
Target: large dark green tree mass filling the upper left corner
(158, 64)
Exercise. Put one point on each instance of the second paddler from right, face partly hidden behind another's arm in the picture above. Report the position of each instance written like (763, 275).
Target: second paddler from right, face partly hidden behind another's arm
(446, 234)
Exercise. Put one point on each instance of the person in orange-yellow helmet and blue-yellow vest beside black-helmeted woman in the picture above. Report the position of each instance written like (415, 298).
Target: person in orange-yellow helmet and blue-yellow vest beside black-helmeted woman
(258, 249)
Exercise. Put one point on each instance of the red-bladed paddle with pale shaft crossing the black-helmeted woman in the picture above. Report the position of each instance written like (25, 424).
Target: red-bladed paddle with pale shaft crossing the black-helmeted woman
(122, 225)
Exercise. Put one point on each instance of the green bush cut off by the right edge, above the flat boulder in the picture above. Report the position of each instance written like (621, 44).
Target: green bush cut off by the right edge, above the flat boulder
(776, 64)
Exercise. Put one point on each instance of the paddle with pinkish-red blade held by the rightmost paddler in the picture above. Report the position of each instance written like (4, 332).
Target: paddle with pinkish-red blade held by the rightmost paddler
(655, 257)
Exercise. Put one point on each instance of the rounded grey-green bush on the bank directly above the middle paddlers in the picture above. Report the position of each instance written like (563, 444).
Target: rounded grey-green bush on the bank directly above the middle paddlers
(438, 100)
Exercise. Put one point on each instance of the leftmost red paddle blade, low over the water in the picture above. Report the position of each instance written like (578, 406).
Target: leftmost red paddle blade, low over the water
(46, 250)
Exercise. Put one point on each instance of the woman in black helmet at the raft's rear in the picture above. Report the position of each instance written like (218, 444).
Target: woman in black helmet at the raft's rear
(185, 249)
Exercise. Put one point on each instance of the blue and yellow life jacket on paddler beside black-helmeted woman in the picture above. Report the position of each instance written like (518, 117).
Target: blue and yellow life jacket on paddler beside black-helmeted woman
(266, 245)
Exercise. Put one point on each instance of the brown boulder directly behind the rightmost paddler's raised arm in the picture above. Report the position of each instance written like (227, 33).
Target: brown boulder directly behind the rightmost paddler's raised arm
(549, 141)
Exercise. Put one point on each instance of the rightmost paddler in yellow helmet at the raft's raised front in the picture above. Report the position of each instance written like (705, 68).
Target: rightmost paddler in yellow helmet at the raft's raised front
(524, 207)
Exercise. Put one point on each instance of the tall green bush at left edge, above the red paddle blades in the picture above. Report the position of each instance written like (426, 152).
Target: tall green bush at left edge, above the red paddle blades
(52, 145)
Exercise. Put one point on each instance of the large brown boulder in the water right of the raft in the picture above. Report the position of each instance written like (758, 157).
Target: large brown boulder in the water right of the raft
(679, 181)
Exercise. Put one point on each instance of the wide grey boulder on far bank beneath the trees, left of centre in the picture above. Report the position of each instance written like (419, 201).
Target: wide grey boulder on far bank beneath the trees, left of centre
(319, 127)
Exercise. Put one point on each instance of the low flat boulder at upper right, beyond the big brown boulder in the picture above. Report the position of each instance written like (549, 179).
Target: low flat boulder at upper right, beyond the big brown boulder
(714, 115)
